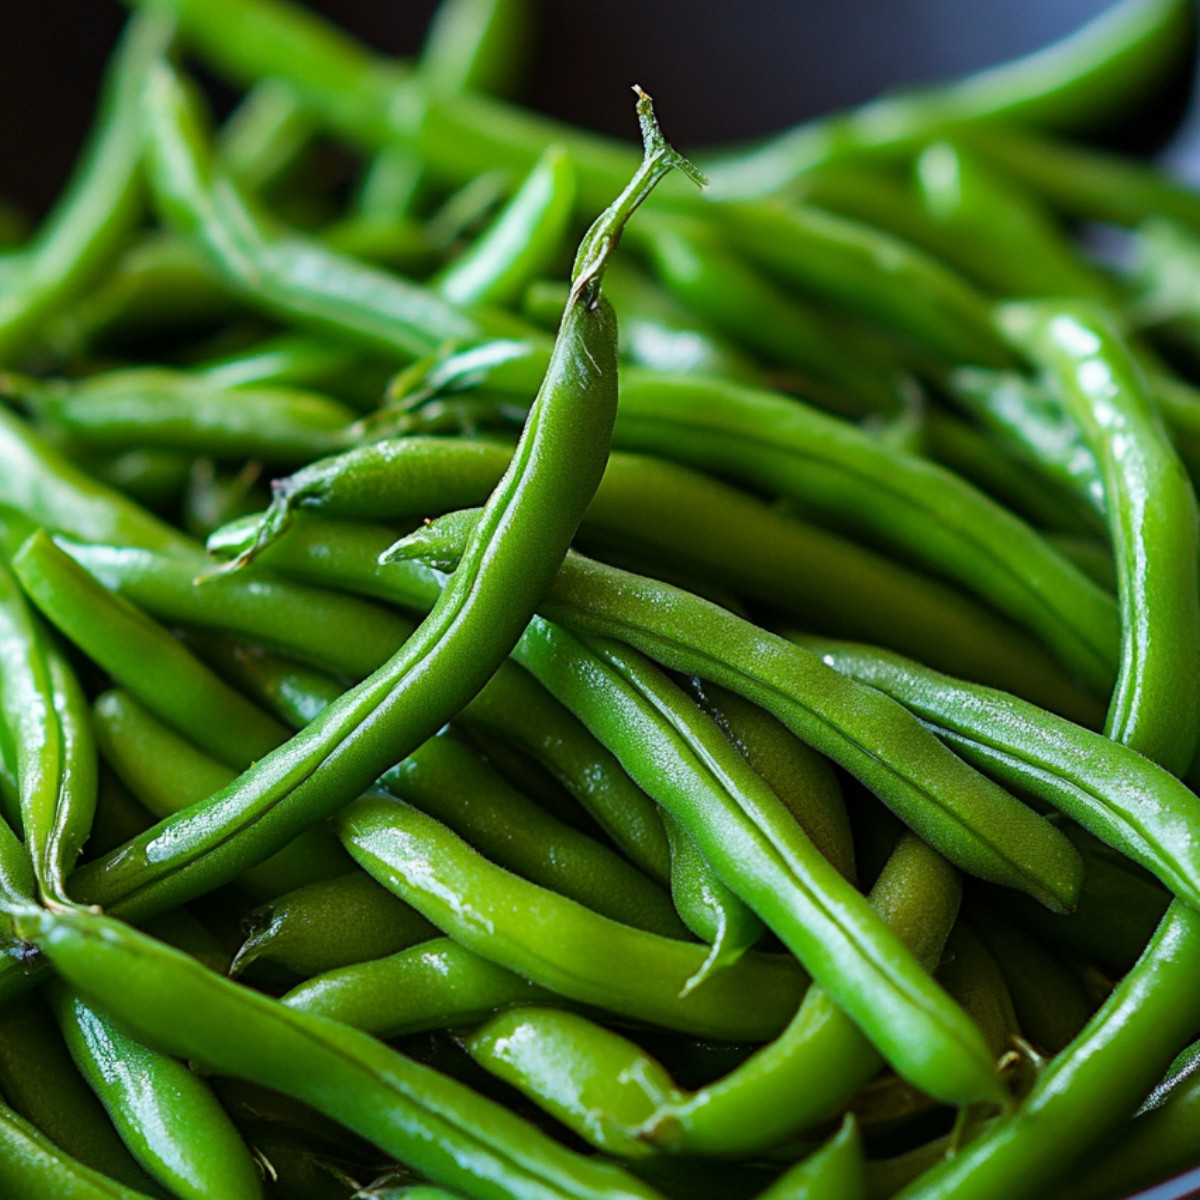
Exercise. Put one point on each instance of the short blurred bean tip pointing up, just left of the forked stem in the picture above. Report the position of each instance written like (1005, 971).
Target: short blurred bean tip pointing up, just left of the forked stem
(521, 242)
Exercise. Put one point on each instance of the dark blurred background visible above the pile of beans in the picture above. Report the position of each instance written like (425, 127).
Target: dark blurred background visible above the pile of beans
(721, 70)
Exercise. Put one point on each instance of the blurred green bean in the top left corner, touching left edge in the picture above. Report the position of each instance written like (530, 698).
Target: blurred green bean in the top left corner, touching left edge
(101, 205)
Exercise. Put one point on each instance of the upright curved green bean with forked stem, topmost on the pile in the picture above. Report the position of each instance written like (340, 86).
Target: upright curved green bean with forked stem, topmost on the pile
(525, 533)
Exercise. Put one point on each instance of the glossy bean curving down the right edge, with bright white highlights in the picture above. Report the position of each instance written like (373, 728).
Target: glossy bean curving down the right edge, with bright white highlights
(1154, 525)
